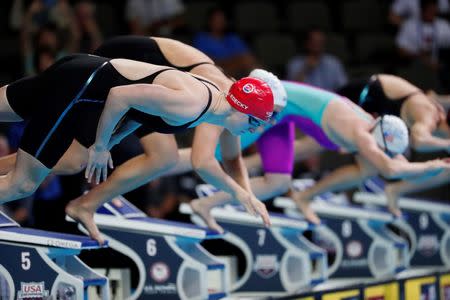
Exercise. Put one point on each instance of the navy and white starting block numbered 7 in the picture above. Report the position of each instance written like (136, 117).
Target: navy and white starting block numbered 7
(279, 260)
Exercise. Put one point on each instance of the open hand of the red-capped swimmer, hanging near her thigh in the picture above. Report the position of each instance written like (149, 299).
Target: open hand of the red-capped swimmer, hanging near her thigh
(99, 158)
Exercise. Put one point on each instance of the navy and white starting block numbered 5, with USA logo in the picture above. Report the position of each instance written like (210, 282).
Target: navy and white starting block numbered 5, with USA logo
(40, 264)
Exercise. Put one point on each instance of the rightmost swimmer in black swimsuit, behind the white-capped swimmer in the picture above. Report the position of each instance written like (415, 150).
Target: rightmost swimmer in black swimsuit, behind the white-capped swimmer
(389, 94)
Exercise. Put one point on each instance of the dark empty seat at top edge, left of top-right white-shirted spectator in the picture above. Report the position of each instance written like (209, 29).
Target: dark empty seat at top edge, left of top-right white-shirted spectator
(361, 16)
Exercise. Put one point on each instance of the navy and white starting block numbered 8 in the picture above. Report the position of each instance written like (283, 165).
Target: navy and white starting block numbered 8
(364, 246)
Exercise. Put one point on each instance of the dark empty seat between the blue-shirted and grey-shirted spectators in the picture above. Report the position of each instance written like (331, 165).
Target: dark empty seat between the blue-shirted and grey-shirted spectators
(274, 50)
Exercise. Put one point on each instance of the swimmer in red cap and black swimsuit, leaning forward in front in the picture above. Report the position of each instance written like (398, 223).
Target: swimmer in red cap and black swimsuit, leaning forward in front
(68, 99)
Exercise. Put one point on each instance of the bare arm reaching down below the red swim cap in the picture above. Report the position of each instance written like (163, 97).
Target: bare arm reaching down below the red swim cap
(209, 169)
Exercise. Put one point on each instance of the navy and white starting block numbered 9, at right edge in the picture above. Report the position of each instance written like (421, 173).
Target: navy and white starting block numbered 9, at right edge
(427, 225)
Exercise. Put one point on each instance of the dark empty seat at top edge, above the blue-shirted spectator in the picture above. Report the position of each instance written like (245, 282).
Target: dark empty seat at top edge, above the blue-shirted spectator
(196, 13)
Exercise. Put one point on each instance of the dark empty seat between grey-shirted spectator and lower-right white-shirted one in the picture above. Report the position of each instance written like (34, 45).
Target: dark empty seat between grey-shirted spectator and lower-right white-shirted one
(374, 47)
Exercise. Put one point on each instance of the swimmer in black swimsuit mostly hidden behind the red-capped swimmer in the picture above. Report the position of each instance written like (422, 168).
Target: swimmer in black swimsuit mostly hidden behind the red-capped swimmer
(178, 55)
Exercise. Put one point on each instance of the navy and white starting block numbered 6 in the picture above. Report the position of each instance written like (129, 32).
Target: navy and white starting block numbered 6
(170, 260)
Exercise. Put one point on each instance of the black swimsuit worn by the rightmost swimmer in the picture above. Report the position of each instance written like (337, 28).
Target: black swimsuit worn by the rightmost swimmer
(370, 96)
